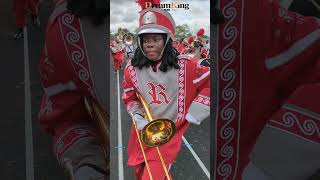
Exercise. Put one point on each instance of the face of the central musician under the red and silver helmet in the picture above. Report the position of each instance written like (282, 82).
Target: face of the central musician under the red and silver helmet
(152, 46)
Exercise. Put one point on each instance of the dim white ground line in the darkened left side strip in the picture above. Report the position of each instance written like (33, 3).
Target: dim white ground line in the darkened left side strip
(27, 110)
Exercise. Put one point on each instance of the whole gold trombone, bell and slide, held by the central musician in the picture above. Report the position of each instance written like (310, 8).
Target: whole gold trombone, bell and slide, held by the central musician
(154, 134)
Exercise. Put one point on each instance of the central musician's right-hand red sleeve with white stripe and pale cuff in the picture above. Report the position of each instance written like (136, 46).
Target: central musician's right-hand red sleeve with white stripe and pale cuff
(199, 109)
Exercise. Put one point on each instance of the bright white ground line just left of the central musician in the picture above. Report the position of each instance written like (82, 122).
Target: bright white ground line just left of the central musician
(120, 145)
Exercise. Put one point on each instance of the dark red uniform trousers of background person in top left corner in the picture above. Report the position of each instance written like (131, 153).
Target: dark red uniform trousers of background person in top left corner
(21, 8)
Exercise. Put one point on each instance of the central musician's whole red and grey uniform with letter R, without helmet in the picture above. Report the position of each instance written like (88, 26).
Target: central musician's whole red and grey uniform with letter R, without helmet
(174, 95)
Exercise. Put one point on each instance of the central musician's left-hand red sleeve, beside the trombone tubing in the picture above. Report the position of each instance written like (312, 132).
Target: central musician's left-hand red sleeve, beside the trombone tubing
(129, 97)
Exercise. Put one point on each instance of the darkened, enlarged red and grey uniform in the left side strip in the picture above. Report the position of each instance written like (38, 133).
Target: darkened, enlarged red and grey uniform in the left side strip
(67, 76)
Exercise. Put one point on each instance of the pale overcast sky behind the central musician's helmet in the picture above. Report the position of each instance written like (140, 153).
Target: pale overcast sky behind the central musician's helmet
(124, 13)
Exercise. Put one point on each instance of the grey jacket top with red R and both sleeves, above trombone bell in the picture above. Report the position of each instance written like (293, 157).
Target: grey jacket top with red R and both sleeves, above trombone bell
(177, 94)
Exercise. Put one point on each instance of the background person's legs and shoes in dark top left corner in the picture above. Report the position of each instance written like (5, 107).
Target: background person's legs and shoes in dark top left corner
(20, 10)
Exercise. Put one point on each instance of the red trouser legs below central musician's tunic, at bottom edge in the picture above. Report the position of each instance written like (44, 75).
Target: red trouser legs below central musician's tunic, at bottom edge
(157, 171)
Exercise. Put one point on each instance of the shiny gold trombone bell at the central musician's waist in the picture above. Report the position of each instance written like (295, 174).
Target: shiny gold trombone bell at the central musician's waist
(157, 132)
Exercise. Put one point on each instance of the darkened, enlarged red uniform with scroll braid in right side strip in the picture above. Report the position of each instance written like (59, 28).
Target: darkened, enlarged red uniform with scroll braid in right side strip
(267, 81)
